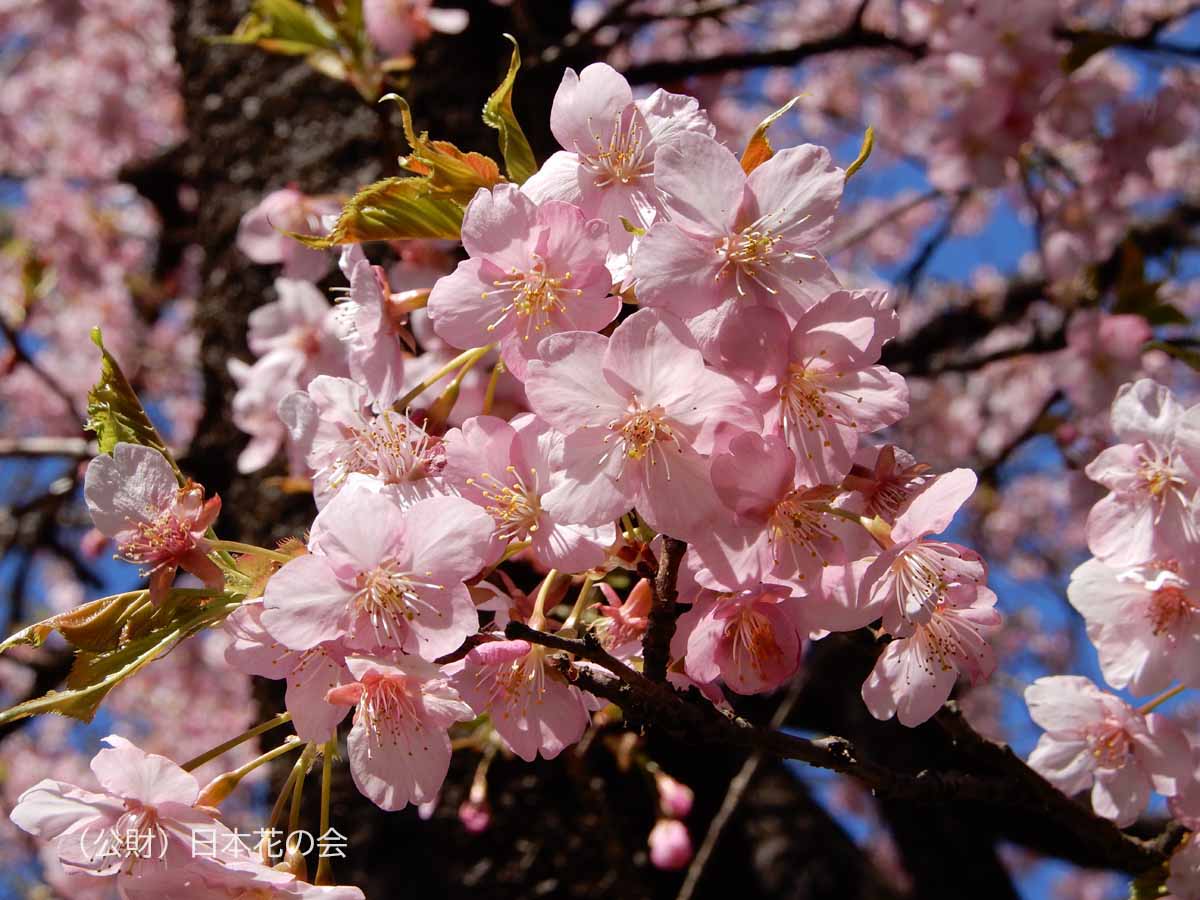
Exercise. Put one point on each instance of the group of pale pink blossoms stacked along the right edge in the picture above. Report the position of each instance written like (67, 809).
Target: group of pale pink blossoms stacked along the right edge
(1139, 598)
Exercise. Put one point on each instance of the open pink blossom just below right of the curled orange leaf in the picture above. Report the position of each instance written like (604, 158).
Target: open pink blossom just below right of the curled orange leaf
(535, 271)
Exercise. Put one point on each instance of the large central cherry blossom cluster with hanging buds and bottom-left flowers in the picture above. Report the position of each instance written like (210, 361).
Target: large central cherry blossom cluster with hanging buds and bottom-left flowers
(682, 369)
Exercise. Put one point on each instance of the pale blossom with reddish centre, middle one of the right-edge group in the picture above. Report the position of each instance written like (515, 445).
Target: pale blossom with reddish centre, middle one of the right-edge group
(1143, 621)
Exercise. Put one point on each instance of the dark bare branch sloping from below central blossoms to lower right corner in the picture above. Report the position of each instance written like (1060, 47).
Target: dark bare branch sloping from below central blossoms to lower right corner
(1006, 783)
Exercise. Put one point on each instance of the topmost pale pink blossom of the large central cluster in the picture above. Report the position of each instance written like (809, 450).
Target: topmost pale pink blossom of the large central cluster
(610, 141)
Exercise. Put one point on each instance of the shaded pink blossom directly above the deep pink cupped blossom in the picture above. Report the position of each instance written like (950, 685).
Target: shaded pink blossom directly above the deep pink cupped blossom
(781, 532)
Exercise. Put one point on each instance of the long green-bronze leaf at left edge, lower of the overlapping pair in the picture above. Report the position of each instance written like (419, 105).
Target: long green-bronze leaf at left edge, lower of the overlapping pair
(95, 675)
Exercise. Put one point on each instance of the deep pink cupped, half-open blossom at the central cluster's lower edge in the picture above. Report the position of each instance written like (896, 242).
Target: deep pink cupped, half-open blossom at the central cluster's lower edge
(752, 640)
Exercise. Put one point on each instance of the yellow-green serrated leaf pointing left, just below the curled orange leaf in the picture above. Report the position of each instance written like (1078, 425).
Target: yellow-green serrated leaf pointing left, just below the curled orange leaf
(393, 209)
